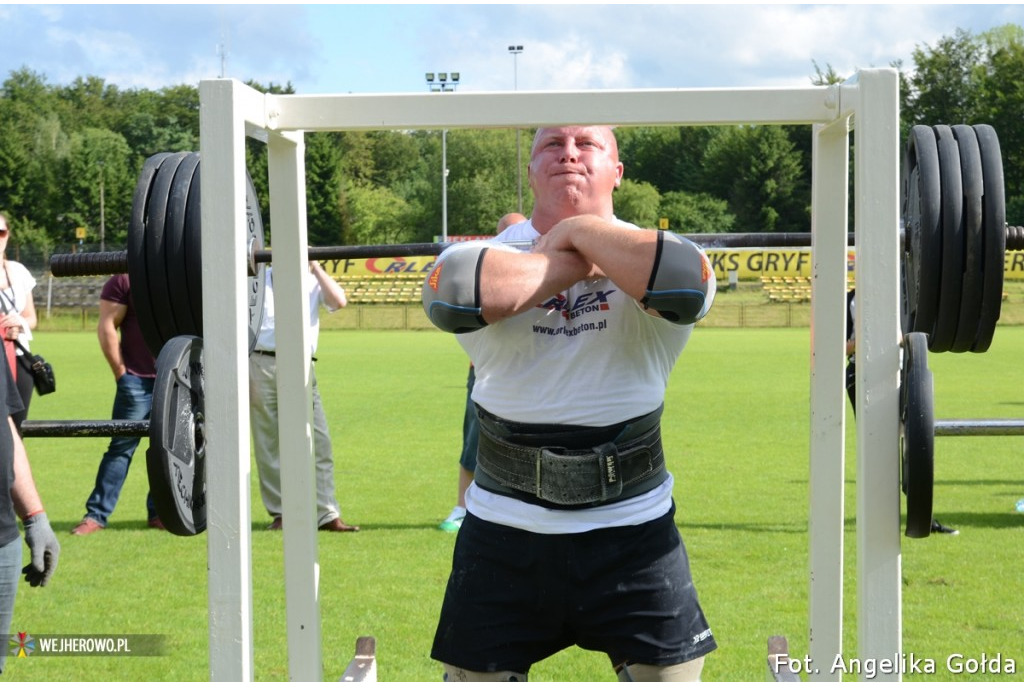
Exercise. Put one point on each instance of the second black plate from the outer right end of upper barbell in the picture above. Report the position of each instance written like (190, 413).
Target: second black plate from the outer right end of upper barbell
(970, 312)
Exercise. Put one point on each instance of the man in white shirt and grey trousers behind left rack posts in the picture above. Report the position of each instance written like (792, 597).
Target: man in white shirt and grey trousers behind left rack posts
(264, 403)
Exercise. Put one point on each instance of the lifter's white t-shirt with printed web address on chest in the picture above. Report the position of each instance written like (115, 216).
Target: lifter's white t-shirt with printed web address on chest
(589, 357)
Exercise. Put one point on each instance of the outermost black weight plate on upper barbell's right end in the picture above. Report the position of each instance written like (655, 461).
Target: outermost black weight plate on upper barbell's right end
(995, 232)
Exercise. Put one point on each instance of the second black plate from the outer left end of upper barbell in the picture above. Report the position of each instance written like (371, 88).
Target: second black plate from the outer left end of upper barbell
(155, 265)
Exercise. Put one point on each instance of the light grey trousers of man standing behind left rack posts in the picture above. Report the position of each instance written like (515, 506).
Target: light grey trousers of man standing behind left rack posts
(267, 443)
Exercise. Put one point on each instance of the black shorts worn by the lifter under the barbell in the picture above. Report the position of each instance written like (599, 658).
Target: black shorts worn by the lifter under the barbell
(516, 598)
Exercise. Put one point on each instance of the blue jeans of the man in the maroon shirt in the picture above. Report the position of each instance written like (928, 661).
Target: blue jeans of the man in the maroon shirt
(134, 403)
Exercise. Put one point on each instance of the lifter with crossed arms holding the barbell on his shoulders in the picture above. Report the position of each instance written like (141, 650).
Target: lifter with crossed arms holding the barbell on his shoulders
(570, 536)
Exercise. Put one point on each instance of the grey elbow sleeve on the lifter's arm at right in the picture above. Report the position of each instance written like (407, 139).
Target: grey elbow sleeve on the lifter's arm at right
(682, 283)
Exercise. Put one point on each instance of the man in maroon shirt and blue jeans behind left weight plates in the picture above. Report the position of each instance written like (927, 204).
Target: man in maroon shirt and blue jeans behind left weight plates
(135, 372)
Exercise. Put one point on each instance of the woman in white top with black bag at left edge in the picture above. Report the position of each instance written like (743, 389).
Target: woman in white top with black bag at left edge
(18, 319)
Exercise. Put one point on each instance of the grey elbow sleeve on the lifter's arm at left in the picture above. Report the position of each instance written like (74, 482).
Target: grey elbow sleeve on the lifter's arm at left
(452, 291)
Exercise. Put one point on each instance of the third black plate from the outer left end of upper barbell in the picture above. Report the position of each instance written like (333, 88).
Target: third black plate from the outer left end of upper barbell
(175, 248)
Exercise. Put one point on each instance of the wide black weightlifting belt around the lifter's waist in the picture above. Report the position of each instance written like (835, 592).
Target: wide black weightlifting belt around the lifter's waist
(571, 467)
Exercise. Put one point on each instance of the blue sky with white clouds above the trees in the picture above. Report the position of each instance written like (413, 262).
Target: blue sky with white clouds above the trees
(342, 49)
